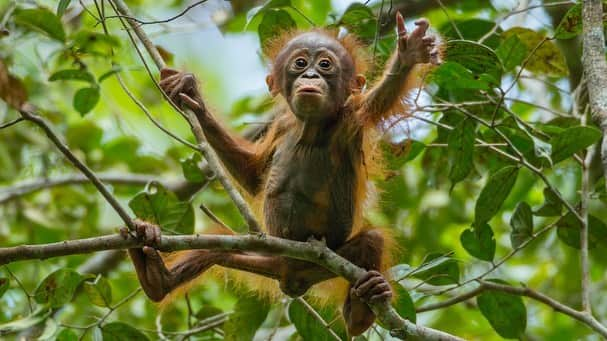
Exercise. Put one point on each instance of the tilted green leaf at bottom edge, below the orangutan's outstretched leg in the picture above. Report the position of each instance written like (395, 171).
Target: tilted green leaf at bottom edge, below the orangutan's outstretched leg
(249, 313)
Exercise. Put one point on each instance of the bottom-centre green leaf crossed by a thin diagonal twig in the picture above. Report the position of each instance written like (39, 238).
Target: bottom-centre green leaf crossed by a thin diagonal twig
(309, 328)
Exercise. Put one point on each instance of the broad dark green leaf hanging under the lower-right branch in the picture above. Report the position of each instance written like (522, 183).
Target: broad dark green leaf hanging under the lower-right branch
(505, 312)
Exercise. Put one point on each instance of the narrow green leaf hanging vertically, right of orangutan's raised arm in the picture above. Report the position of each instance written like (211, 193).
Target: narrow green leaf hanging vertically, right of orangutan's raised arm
(461, 150)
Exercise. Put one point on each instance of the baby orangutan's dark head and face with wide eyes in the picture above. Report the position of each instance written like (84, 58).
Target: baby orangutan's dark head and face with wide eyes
(314, 72)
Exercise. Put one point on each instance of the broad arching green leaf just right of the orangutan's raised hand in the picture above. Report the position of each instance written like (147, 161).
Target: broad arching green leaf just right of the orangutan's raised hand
(477, 58)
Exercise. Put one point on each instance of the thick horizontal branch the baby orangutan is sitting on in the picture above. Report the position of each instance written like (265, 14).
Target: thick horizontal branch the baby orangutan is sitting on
(315, 252)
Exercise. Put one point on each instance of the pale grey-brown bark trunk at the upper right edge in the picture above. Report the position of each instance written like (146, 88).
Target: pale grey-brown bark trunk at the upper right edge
(595, 67)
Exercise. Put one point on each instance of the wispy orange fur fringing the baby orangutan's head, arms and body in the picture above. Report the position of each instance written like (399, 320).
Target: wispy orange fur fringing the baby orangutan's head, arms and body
(363, 120)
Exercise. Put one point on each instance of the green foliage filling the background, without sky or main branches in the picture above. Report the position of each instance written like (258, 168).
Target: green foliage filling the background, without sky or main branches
(485, 177)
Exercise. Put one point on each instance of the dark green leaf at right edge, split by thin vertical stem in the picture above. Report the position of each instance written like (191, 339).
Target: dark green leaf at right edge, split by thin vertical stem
(568, 230)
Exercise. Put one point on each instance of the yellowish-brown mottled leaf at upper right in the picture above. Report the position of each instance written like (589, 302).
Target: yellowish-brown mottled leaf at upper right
(546, 58)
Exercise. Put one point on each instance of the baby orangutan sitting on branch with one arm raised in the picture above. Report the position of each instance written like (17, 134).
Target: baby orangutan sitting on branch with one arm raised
(310, 168)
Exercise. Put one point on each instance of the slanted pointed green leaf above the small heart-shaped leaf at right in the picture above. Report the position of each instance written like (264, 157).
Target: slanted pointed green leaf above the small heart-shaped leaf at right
(494, 194)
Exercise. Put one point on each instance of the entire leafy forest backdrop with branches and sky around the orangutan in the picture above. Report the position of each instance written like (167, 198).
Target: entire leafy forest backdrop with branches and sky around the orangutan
(494, 181)
